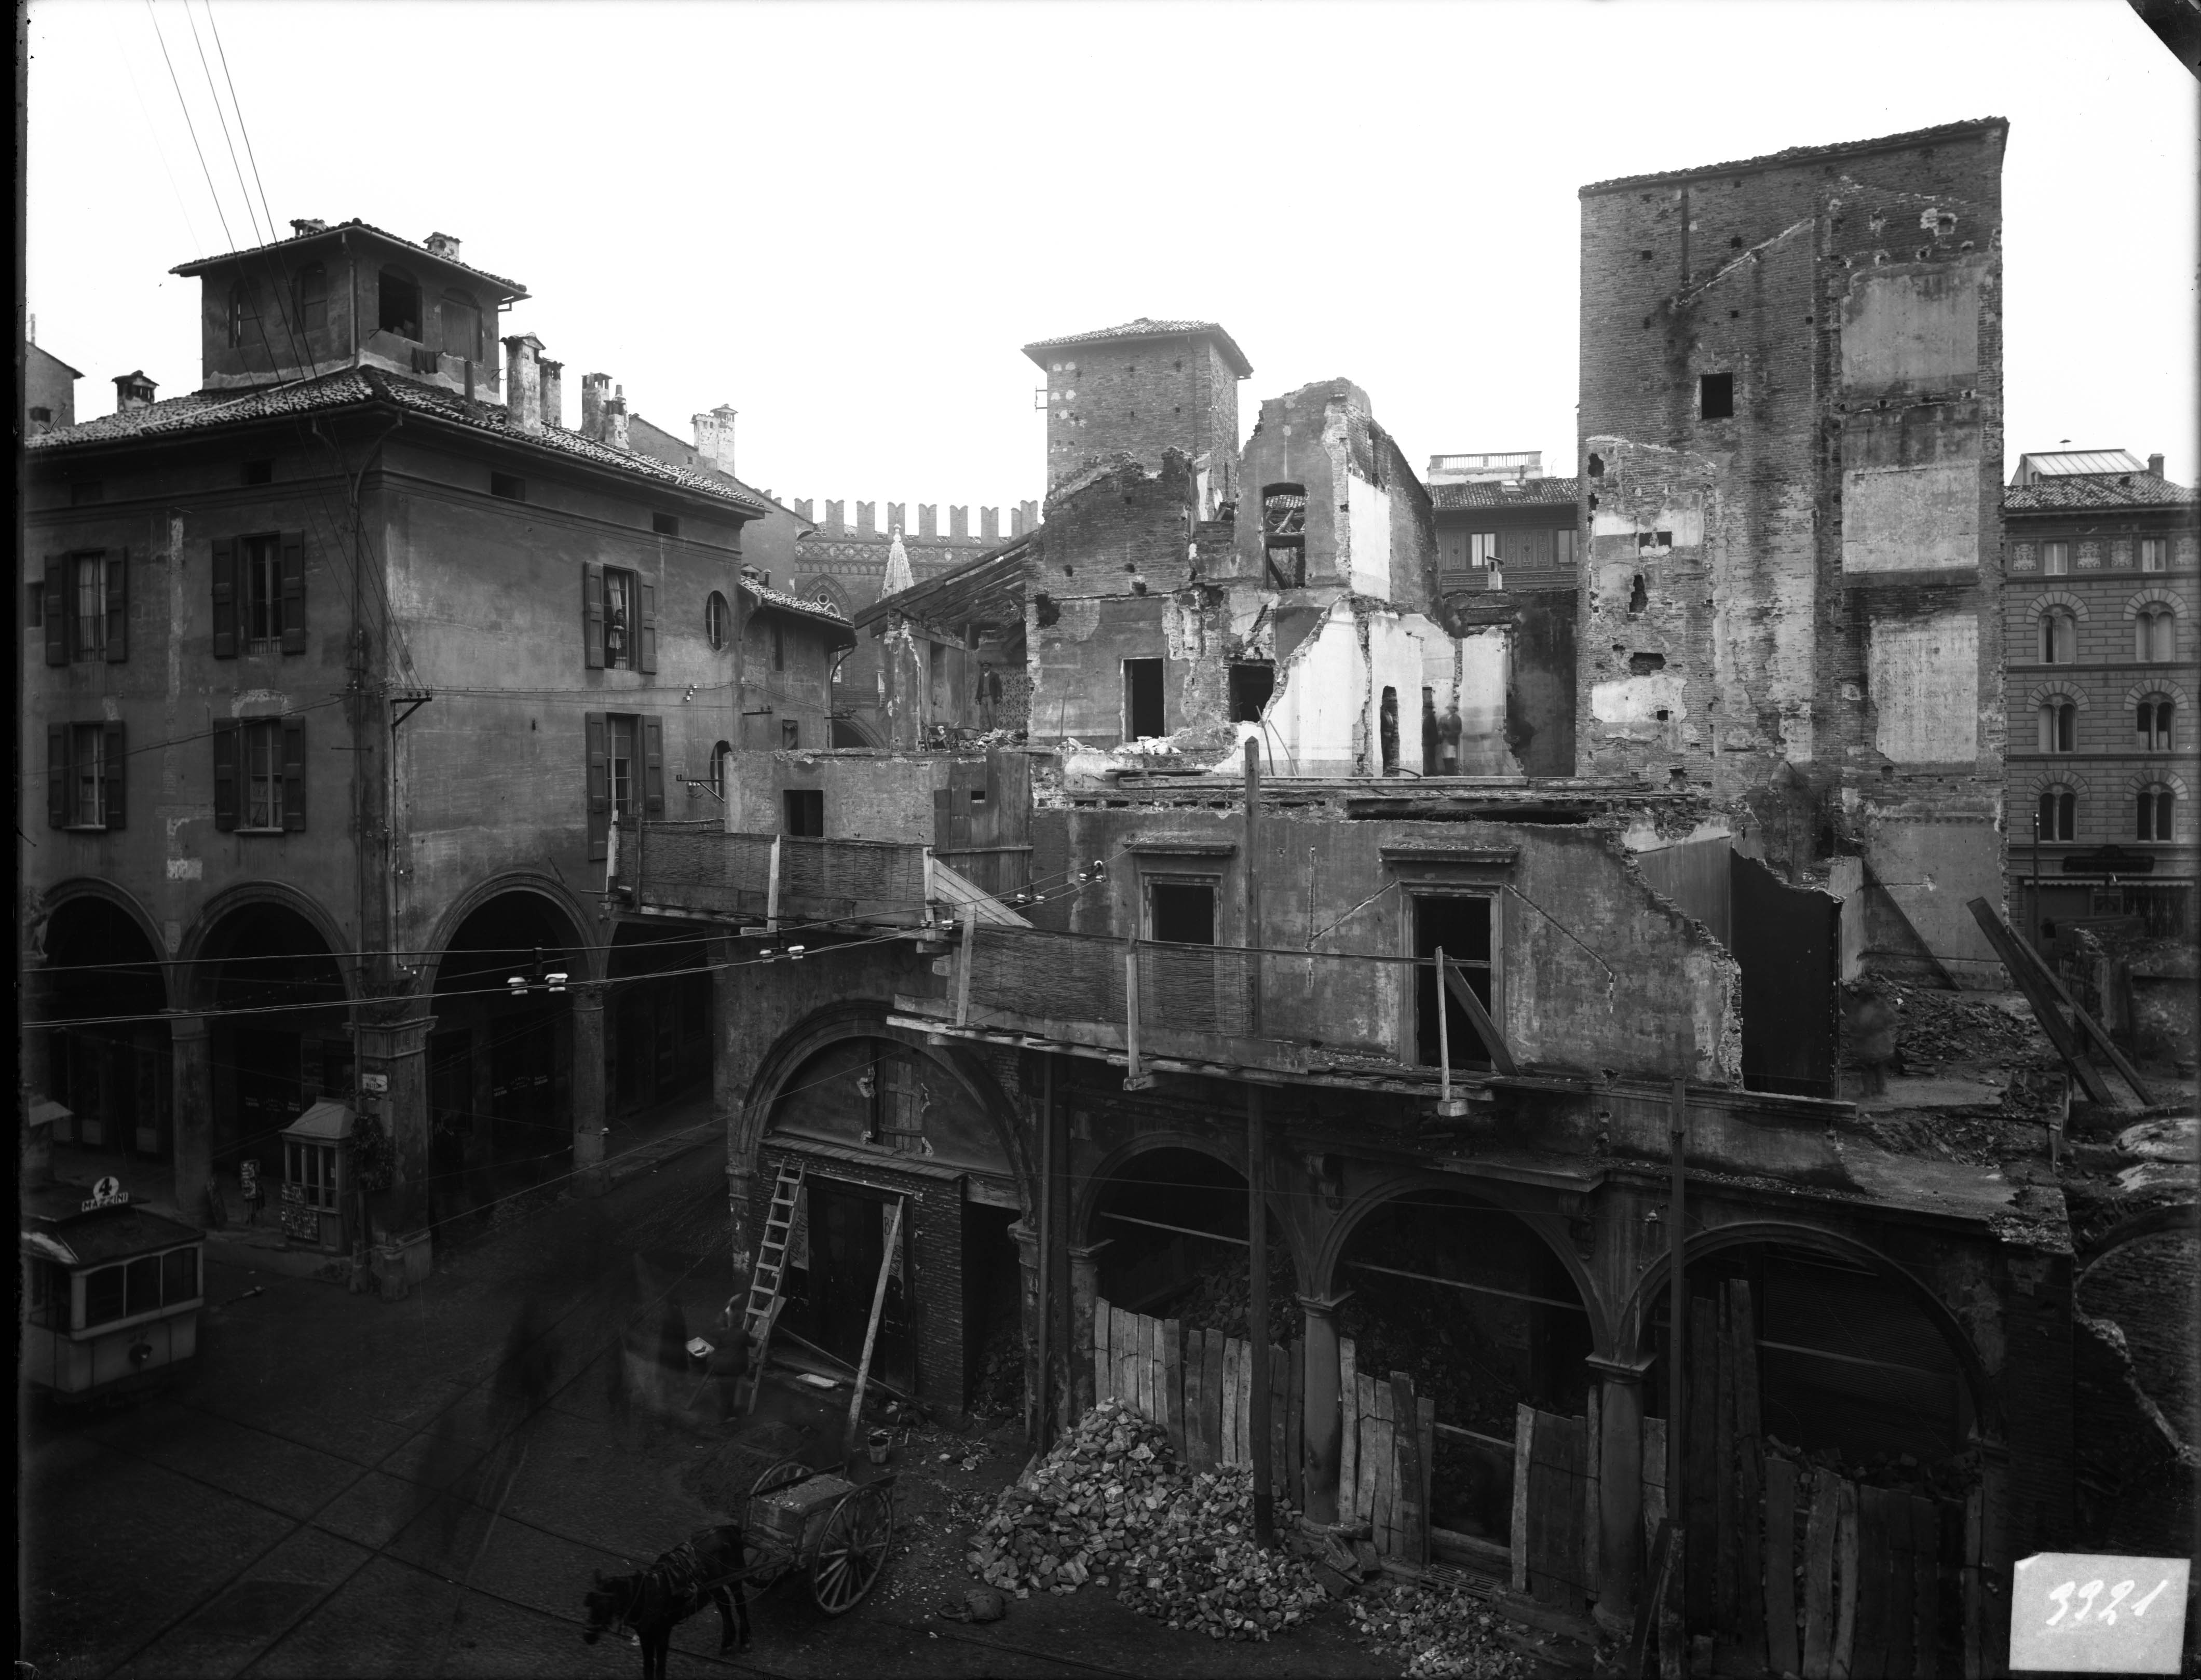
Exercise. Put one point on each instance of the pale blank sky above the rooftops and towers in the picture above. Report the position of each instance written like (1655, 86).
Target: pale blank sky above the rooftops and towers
(846, 219)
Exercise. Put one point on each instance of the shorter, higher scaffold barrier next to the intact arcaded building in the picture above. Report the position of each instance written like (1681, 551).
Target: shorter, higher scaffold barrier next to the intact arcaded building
(703, 871)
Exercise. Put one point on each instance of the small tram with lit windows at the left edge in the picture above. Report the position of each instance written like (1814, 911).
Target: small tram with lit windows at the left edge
(111, 1296)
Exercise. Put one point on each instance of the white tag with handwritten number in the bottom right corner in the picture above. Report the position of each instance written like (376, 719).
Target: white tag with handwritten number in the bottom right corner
(2083, 1613)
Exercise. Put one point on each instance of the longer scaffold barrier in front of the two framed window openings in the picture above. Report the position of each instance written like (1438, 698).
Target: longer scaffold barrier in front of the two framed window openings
(1194, 1003)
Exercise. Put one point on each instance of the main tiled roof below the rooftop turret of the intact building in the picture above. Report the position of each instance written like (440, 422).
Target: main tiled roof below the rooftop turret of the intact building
(355, 386)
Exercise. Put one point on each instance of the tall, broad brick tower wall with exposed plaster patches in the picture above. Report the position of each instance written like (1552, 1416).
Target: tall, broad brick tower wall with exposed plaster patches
(1793, 439)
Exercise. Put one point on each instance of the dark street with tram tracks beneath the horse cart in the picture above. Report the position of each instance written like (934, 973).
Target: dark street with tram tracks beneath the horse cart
(333, 1494)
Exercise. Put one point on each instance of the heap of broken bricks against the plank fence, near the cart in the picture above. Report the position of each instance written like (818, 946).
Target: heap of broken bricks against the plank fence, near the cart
(1113, 1507)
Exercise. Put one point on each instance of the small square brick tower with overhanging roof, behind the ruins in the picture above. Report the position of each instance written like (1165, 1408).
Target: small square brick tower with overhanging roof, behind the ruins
(1143, 389)
